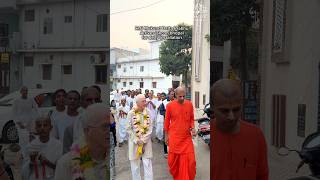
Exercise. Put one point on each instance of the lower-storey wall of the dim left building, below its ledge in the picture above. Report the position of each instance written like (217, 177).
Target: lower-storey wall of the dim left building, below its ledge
(83, 72)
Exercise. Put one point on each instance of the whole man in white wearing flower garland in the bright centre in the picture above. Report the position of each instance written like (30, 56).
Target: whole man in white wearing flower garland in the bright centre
(140, 145)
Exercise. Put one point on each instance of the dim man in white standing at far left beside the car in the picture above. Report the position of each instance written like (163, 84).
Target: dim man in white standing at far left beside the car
(24, 112)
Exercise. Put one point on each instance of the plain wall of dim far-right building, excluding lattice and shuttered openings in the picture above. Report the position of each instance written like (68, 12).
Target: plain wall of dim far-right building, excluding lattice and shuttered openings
(298, 80)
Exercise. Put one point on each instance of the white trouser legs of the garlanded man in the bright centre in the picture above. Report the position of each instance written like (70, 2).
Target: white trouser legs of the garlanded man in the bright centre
(147, 167)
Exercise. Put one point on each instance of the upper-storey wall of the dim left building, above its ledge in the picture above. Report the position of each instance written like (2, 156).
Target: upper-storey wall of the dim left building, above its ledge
(80, 33)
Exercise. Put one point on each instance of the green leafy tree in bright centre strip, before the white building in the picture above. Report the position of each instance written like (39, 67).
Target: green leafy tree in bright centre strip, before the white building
(176, 54)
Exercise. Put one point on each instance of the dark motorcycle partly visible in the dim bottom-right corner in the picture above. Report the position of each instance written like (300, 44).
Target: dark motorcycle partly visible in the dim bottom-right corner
(309, 154)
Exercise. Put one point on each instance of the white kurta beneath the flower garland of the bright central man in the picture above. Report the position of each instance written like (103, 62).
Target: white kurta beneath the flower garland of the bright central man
(133, 139)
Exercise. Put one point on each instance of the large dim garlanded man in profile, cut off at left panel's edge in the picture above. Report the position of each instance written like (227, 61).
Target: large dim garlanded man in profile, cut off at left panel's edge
(88, 156)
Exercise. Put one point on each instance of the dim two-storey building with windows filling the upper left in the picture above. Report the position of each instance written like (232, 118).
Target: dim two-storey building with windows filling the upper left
(64, 43)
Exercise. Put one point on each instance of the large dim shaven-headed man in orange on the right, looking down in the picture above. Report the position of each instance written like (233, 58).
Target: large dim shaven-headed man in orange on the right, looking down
(238, 148)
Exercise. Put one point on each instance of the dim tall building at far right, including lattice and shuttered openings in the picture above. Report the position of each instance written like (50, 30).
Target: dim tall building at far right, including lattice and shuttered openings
(289, 108)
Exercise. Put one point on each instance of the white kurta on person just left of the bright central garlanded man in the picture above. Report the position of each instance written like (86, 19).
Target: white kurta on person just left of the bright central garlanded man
(123, 122)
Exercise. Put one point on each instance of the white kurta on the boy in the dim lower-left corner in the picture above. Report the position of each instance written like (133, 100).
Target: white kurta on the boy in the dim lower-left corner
(52, 150)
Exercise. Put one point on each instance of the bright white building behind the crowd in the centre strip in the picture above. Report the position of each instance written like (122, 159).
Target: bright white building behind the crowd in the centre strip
(142, 71)
